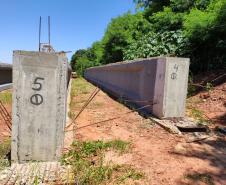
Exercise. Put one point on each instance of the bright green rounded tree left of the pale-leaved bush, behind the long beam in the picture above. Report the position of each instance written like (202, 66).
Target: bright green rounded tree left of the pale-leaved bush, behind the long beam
(122, 31)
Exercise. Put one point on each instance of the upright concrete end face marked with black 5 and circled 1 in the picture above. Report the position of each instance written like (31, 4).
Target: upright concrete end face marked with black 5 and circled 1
(39, 105)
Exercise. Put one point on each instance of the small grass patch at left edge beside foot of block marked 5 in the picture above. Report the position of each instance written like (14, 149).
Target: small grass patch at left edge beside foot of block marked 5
(4, 151)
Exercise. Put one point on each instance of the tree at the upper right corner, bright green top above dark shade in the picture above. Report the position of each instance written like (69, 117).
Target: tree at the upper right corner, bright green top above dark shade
(206, 32)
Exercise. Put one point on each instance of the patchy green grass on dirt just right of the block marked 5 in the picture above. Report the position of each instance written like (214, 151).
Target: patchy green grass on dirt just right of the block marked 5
(87, 158)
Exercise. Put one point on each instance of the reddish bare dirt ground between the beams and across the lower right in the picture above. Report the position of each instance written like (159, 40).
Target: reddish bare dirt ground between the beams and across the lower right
(165, 158)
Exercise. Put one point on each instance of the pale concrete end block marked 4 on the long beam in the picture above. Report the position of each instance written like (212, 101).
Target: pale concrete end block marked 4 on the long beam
(170, 90)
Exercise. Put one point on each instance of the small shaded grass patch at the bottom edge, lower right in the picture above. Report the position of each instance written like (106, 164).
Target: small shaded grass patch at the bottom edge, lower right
(199, 177)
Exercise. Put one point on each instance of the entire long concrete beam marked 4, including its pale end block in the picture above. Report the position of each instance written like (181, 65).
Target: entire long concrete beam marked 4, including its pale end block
(160, 82)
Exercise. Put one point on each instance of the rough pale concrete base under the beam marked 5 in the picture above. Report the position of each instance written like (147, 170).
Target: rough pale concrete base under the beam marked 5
(42, 173)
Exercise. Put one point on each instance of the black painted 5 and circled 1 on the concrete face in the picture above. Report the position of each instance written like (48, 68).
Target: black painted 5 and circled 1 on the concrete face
(37, 99)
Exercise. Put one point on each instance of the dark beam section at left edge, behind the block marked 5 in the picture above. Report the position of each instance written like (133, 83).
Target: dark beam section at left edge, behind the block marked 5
(5, 73)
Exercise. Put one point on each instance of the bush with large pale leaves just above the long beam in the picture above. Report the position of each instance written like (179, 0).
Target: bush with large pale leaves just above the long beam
(156, 44)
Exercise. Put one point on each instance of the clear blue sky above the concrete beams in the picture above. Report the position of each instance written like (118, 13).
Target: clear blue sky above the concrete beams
(75, 24)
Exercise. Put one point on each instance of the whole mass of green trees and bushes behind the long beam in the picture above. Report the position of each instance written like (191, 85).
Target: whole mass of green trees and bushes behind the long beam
(194, 29)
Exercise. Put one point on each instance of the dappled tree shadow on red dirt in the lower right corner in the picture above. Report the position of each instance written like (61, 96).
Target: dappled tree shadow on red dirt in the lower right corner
(212, 150)
